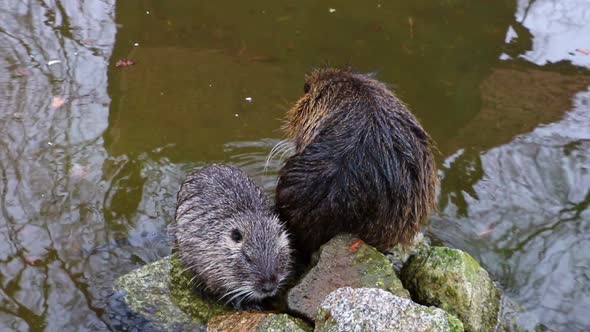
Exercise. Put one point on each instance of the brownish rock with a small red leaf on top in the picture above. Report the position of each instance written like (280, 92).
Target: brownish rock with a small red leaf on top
(344, 261)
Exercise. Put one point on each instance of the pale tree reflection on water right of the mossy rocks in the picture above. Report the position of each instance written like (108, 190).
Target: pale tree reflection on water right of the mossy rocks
(529, 217)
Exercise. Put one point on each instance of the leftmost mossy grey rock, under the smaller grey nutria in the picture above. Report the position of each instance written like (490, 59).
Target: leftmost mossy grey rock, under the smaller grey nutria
(161, 294)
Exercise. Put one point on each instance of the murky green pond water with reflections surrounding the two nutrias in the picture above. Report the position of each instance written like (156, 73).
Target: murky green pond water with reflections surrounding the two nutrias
(91, 155)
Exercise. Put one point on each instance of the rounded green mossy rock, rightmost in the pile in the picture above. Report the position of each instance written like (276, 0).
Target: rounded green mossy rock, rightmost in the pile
(453, 281)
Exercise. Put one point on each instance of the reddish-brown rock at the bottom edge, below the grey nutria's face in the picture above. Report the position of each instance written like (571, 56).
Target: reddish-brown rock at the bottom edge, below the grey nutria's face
(256, 321)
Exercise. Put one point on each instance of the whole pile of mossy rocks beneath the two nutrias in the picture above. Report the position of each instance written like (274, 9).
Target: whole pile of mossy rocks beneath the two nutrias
(350, 286)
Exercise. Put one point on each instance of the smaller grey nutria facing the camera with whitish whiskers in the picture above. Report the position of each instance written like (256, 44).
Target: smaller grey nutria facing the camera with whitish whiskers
(228, 236)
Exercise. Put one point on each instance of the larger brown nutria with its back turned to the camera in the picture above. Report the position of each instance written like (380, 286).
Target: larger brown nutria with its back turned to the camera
(362, 164)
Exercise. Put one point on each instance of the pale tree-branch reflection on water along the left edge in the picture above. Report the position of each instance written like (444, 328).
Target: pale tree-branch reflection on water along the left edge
(51, 155)
